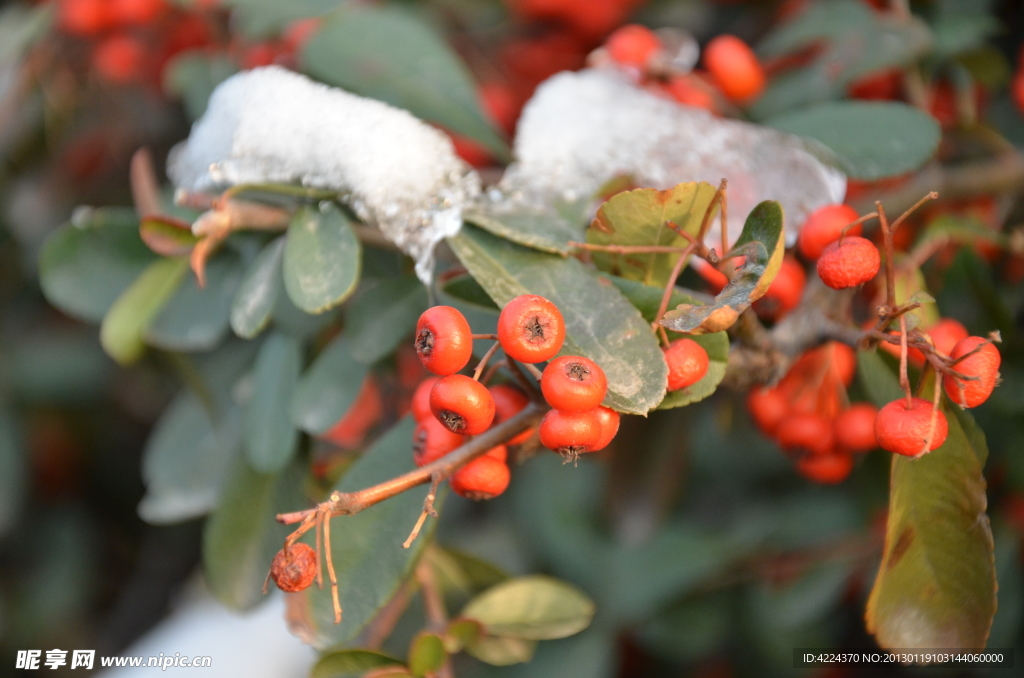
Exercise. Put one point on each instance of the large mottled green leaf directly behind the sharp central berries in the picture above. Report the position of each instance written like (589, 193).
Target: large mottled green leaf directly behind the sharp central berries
(600, 322)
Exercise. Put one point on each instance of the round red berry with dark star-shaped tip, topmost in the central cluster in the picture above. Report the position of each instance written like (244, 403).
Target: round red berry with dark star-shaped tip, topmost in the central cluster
(531, 329)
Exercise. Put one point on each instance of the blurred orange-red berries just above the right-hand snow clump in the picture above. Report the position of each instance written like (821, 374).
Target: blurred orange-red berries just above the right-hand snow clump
(732, 69)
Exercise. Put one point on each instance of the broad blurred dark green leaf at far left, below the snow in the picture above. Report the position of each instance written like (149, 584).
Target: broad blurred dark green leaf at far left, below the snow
(87, 265)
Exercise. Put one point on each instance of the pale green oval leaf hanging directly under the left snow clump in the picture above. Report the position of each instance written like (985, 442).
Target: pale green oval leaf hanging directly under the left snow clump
(322, 259)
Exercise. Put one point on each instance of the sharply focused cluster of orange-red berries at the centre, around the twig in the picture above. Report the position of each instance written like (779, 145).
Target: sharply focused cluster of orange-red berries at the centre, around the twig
(451, 407)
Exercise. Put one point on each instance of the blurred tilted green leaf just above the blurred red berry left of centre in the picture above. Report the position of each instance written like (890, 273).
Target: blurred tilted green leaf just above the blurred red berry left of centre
(328, 389)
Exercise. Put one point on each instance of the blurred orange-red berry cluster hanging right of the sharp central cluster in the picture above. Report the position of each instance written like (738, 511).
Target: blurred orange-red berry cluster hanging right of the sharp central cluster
(808, 416)
